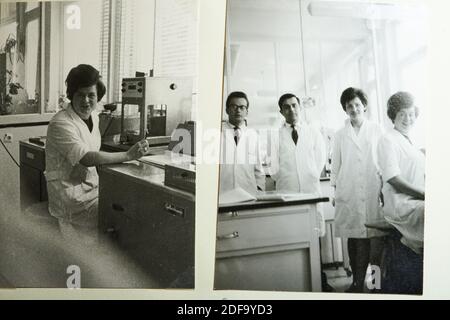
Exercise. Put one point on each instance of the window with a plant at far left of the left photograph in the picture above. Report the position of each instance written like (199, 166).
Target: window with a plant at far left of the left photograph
(21, 73)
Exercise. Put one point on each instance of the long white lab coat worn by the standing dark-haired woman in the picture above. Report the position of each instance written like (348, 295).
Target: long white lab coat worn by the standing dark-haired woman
(355, 174)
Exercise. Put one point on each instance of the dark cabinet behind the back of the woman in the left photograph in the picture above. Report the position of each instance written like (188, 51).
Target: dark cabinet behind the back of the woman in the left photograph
(33, 186)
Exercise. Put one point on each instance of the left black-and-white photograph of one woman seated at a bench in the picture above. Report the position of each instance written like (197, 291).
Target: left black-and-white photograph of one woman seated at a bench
(97, 143)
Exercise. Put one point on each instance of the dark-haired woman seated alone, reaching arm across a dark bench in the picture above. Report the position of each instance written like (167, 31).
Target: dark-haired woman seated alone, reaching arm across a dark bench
(73, 151)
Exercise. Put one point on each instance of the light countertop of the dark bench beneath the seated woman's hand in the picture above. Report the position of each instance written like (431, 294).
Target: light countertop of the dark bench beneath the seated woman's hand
(144, 174)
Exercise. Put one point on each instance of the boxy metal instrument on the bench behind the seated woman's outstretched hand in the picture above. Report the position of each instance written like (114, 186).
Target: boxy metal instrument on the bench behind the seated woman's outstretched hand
(161, 103)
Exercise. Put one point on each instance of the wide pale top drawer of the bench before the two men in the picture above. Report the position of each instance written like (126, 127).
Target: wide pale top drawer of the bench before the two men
(258, 231)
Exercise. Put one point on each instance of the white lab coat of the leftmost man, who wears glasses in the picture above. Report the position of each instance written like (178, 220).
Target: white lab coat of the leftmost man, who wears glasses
(241, 165)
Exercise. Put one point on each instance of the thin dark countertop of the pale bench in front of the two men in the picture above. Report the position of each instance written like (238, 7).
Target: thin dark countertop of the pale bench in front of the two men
(256, 204)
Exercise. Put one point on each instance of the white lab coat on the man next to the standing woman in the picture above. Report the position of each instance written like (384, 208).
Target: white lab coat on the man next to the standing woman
(297, 168)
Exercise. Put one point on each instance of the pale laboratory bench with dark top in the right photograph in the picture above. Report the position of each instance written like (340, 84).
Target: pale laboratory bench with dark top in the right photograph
(268, 245)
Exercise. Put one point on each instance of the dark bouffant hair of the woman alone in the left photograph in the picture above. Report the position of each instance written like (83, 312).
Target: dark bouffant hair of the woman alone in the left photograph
(82, 76)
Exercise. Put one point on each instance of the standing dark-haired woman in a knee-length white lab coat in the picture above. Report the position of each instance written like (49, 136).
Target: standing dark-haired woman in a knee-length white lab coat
(355, 176)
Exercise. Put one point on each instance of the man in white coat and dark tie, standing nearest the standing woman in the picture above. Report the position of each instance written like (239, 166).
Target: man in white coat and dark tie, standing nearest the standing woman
(299, 158)
